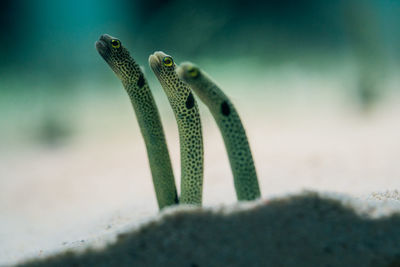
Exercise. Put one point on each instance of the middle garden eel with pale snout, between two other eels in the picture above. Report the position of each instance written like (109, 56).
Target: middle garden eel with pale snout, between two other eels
(189, 126)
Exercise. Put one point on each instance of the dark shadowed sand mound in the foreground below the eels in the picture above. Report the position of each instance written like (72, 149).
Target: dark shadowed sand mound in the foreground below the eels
(309, 229)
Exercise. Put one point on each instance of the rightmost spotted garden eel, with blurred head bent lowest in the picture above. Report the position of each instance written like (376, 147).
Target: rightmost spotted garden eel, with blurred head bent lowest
(233, 133)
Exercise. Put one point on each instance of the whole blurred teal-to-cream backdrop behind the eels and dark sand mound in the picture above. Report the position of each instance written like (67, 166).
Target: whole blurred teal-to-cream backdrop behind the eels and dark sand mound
(316, 85)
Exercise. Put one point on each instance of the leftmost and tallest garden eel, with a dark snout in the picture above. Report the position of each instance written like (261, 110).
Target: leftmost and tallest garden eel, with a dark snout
(147, 114)
